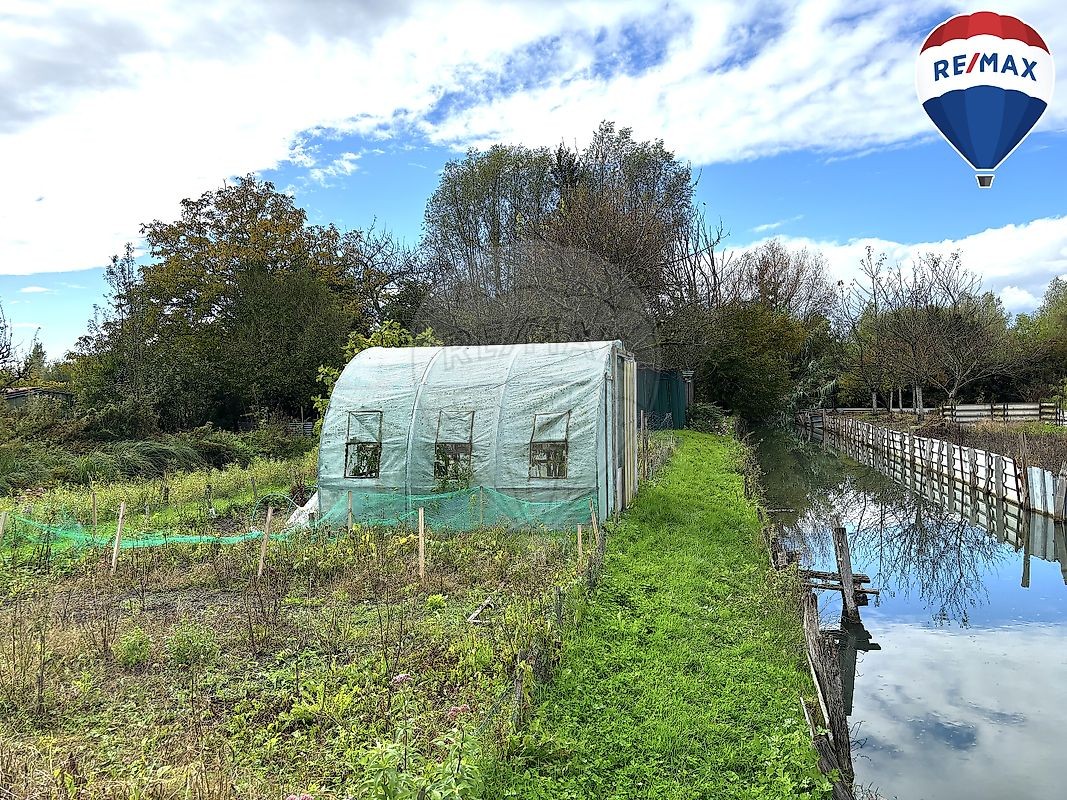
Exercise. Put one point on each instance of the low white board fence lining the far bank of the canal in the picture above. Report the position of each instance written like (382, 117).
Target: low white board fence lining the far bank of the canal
(910, 459)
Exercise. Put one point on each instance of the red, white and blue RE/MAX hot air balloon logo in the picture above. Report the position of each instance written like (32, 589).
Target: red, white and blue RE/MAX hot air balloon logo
(985, 79)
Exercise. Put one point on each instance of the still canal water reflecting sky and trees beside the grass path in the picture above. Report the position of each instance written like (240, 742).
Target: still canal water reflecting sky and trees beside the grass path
(962, 692)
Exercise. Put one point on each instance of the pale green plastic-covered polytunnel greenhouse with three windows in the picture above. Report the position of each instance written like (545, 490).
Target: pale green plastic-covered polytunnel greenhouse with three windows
(527, 433)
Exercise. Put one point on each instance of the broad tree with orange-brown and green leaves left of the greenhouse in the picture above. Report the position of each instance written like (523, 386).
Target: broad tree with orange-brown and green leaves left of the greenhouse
(240, 305)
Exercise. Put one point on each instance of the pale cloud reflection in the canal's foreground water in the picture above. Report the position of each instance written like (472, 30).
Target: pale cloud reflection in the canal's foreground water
(947, 714)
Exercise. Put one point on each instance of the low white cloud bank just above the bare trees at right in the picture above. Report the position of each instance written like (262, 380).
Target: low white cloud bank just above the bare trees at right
(1016, 262)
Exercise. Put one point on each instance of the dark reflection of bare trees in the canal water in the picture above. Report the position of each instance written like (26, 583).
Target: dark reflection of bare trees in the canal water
(913, 543)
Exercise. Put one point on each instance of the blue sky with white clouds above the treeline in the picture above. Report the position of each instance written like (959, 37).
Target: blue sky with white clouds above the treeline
(801, 120)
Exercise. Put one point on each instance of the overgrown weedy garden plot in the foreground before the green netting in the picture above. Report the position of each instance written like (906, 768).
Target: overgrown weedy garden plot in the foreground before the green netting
(338, 674)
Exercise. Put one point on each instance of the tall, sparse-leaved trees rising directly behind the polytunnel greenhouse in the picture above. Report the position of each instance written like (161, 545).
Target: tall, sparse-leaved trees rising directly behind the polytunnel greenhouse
(528, 246)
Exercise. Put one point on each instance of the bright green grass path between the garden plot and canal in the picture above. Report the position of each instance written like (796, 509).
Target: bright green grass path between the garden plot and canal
(682, 679)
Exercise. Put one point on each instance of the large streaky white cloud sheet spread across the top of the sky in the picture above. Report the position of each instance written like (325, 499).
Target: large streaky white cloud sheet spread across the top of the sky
(108, 119)
